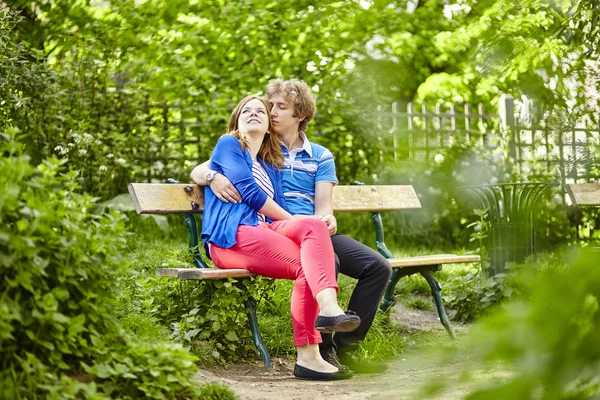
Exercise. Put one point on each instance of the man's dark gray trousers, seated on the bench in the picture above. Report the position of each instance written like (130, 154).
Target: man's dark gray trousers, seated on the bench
(372, 271)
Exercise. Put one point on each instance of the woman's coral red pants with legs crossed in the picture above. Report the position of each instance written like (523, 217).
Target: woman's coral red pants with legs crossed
(297, 249)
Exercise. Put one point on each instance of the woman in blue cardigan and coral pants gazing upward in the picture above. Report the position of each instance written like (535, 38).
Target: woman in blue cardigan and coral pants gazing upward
(260, 235)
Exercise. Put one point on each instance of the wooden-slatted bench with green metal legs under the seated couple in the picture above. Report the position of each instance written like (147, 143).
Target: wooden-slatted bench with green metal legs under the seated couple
(188, 199)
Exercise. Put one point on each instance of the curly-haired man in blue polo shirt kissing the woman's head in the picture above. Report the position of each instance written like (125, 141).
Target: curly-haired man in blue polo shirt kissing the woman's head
(308, 178)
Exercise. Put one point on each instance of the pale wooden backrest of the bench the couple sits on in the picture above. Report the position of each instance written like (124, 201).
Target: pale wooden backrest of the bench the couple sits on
(165, 198)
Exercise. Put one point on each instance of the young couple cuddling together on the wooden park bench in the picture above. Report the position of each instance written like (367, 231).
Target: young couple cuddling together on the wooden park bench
(268, 209)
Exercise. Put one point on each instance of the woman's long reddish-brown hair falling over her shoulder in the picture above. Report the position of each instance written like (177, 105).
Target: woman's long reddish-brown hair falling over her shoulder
(270, 150)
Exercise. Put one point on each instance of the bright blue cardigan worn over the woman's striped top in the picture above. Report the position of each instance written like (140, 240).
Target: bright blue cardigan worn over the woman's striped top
(220, 220)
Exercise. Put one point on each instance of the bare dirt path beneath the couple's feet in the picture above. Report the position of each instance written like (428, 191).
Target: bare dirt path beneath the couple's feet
(406, 378)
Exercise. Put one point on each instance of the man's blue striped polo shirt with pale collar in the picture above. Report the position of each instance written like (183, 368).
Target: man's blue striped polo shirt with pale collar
(302, 169)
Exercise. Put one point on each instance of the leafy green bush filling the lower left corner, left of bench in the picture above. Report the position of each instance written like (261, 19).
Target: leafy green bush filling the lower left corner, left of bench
(58, 333)
